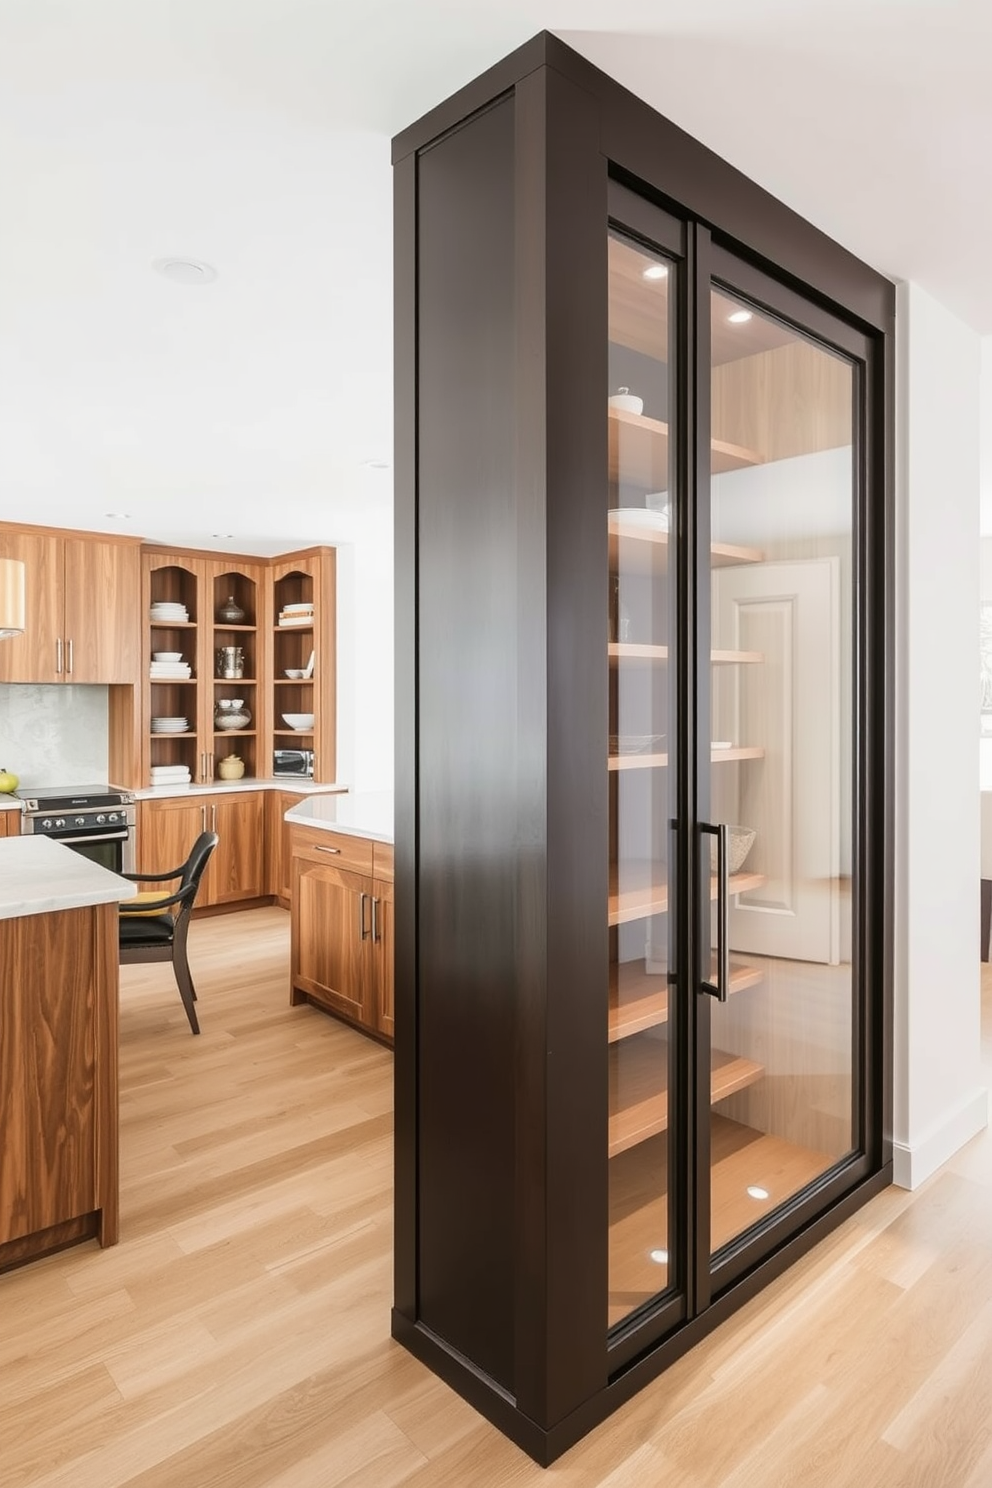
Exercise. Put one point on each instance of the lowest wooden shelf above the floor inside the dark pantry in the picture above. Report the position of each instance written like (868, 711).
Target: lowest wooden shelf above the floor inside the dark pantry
(639, 1087)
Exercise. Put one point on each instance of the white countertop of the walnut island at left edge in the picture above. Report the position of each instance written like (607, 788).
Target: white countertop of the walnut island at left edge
(39, 877)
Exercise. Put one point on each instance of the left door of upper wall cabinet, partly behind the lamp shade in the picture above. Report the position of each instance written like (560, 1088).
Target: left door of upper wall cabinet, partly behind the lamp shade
(35, 657)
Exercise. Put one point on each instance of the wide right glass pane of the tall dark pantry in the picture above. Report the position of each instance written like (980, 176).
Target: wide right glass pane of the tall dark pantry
(782, 761)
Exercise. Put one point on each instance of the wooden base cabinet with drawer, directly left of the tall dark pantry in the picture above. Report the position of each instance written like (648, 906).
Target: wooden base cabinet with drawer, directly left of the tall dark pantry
(341, 953)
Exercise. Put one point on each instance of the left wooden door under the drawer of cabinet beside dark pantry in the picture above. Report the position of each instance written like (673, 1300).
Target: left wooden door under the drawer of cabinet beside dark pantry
(332, 940)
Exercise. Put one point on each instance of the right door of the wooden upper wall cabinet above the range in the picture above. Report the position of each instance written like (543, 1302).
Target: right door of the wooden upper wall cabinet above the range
(102, 627)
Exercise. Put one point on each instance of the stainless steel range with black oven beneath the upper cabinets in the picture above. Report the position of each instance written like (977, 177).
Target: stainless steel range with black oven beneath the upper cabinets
(96, 821)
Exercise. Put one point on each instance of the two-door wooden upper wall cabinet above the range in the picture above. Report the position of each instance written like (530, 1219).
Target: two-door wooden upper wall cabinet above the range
(83, 596)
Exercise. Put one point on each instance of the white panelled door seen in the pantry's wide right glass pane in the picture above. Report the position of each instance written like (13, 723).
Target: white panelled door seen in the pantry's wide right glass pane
(789, 705)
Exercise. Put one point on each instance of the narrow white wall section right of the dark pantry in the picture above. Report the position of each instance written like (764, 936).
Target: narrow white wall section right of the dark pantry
(939, 1096)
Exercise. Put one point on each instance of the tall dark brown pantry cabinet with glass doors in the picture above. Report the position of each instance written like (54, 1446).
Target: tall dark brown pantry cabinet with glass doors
(643, 952)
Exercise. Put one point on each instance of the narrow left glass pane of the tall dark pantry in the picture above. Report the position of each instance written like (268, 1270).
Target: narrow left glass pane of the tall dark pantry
(642, 639)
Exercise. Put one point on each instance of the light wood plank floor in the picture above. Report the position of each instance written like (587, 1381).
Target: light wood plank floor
(239, 1335)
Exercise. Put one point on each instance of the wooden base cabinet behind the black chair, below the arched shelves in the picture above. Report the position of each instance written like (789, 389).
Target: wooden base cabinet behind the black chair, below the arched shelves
(237, 871)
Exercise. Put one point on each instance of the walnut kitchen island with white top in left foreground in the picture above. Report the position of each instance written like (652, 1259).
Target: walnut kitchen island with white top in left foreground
(59, 1048)
